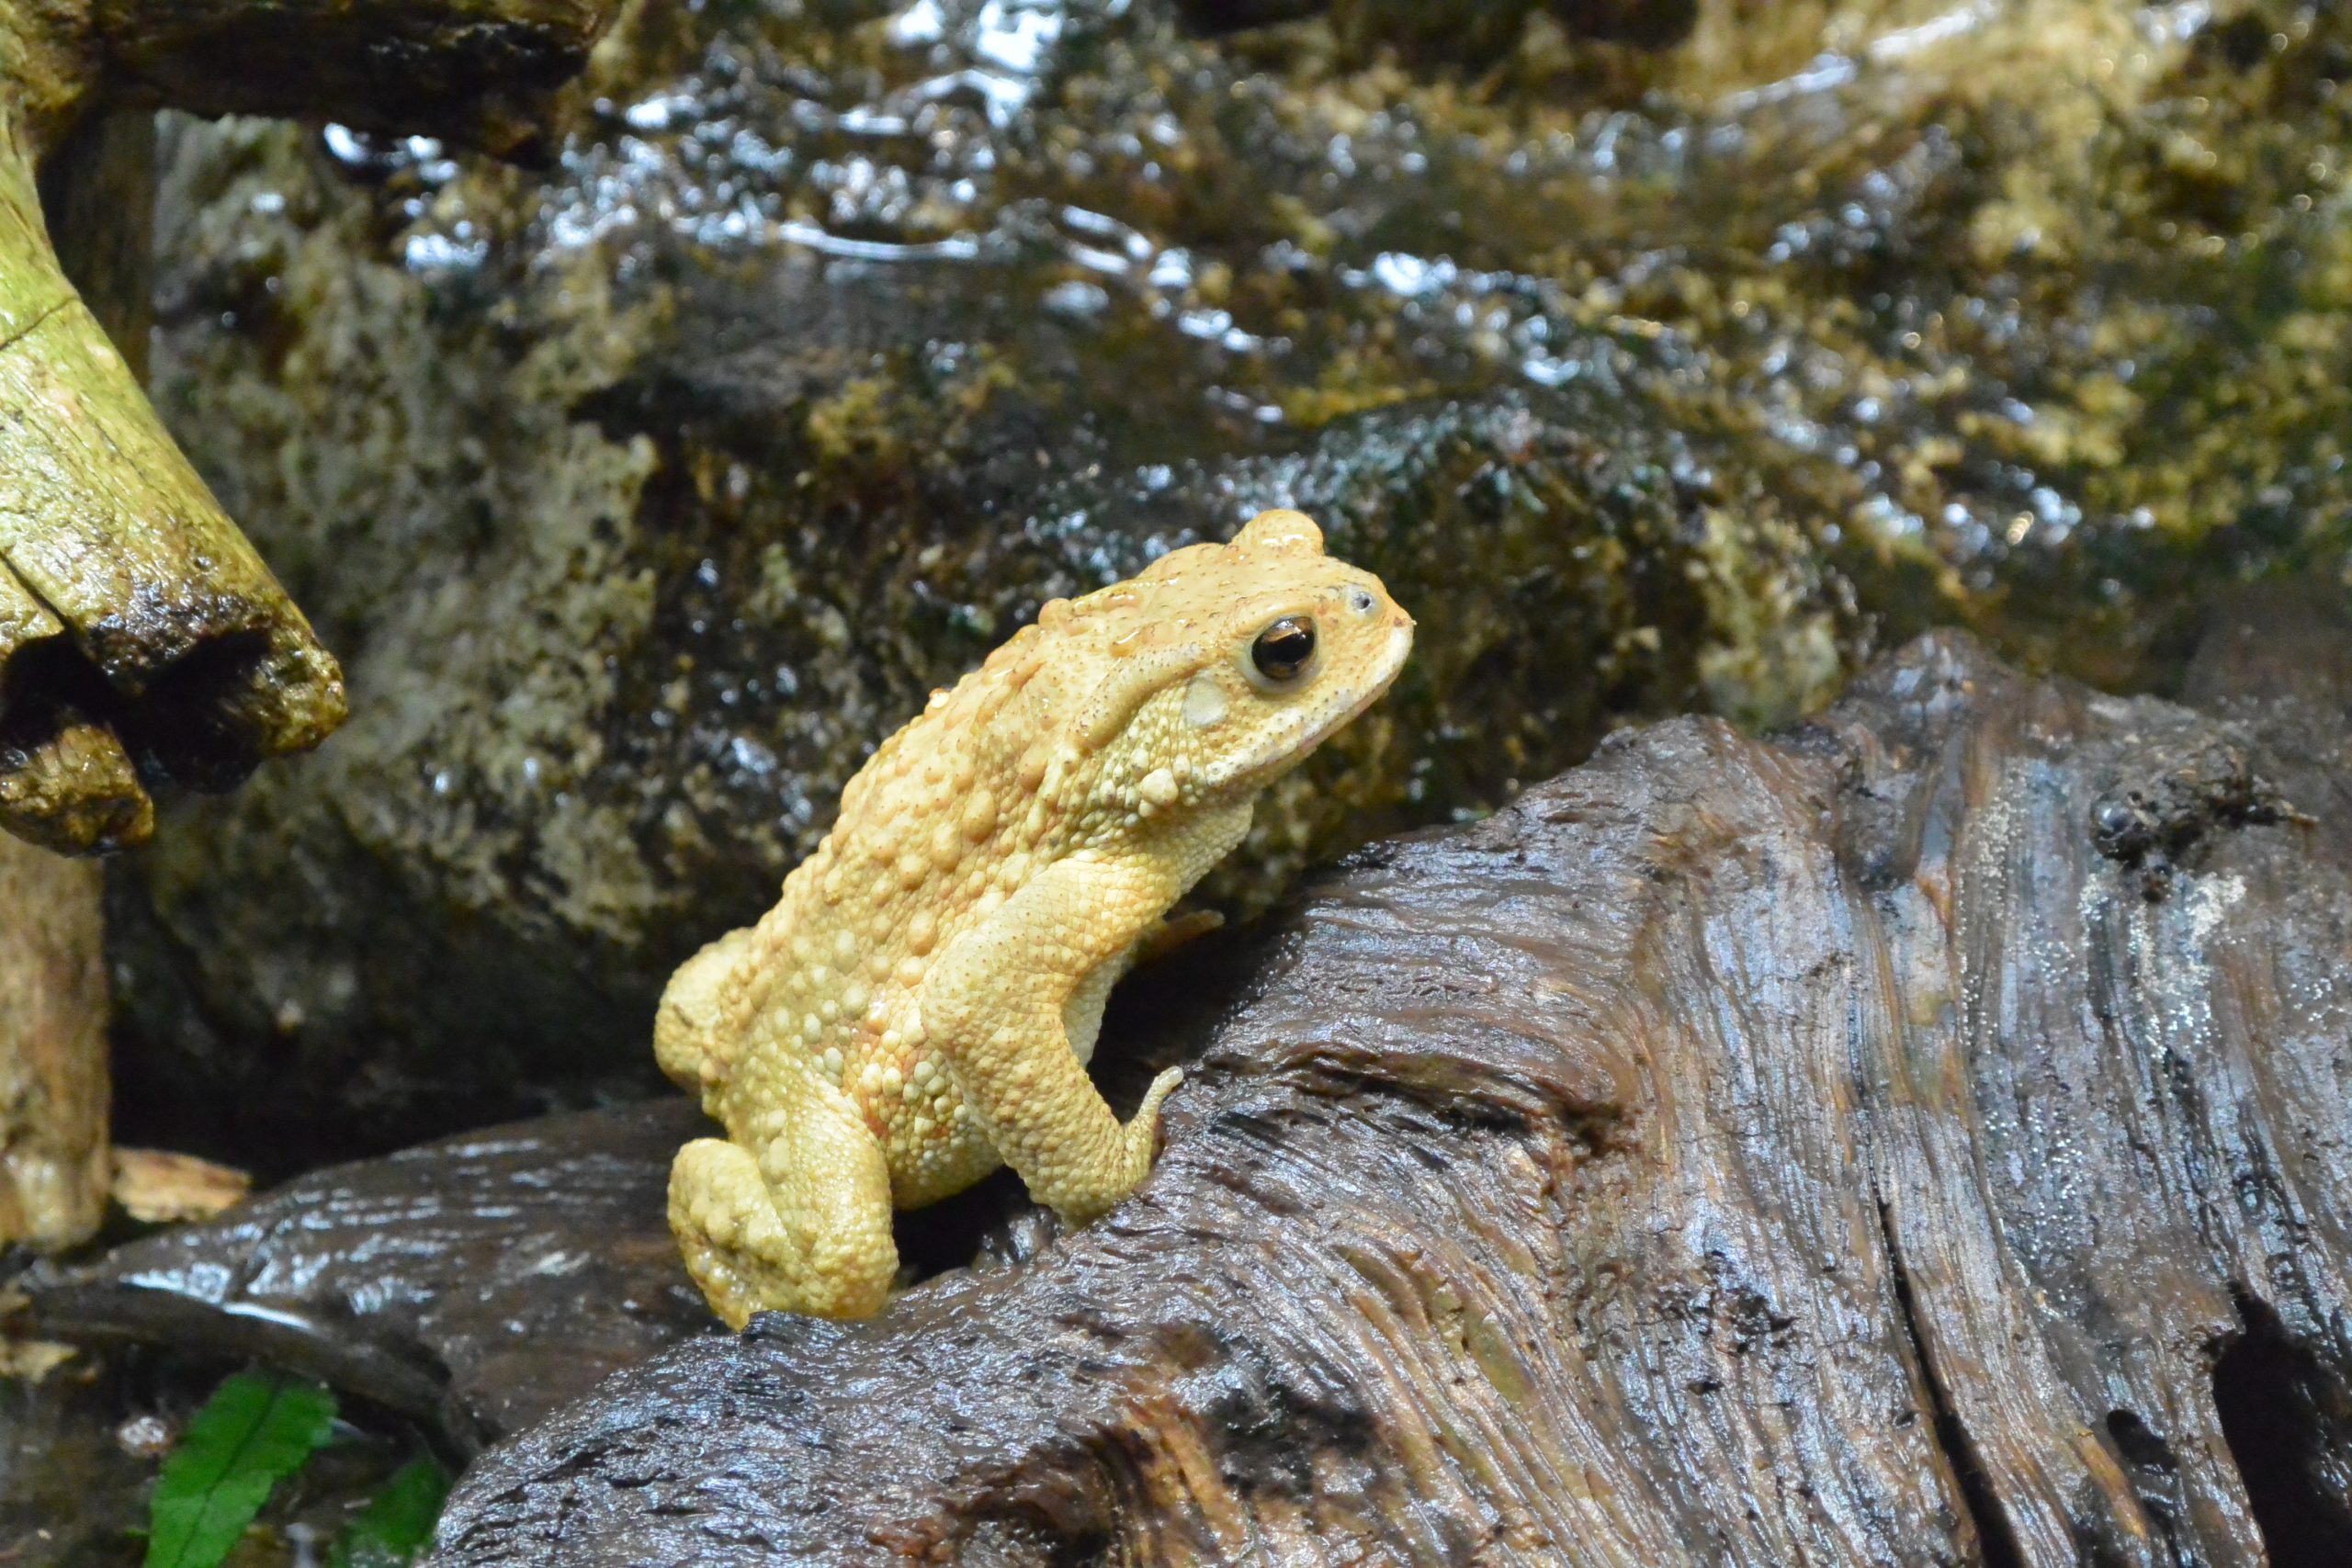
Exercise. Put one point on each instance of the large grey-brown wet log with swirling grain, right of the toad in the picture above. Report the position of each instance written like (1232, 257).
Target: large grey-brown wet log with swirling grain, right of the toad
(1916, 1139)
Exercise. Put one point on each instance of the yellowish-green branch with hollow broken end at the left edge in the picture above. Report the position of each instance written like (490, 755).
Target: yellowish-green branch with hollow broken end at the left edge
(203, 664)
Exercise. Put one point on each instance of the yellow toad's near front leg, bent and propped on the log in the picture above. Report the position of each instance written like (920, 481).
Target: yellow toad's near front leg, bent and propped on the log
(996, 1010)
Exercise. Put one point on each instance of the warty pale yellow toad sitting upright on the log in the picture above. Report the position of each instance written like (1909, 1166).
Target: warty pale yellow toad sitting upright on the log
(923, 1000)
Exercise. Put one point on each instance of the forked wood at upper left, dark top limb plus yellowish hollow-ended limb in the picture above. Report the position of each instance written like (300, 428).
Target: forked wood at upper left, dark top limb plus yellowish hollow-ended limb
(142, 638)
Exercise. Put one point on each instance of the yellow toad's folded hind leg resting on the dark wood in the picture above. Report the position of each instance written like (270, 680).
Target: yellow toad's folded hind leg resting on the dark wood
(799, 1226)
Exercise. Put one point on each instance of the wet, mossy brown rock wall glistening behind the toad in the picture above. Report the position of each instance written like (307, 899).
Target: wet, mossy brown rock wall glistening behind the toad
(1655, 356)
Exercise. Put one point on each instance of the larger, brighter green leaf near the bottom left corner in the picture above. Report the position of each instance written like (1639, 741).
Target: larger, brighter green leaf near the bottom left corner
(253, 1433)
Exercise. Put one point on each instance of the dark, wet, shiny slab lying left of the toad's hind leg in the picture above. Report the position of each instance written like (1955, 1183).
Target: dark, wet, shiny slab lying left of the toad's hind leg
(472, 1285)
